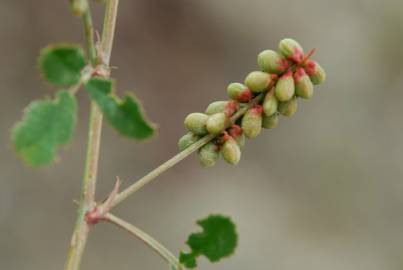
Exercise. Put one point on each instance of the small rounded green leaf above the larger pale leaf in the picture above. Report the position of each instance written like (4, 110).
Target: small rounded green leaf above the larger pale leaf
(61, 64)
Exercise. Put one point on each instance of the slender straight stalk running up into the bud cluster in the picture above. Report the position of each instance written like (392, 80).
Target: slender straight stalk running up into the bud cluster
(179, 157)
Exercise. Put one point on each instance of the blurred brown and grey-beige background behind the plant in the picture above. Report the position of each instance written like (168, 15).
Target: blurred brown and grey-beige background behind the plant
(324, 190)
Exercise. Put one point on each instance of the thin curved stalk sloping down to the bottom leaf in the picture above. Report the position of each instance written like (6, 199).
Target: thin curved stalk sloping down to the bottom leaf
(147, 239)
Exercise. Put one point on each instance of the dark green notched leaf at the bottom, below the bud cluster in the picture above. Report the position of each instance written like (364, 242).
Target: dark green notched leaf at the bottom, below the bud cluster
(217, 240)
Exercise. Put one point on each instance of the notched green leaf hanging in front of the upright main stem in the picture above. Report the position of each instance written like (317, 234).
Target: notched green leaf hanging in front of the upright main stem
(126, 115)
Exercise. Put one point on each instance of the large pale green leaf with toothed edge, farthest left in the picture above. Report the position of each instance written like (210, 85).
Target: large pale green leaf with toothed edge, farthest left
(47, 124)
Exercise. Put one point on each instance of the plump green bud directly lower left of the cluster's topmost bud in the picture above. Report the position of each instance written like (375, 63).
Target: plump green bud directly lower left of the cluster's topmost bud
(272, 62)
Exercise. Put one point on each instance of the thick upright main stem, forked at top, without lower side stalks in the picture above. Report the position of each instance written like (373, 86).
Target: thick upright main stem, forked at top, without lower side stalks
(81, 230)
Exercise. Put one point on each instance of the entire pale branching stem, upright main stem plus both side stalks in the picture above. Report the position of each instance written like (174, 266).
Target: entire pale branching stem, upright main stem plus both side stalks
(87, 200)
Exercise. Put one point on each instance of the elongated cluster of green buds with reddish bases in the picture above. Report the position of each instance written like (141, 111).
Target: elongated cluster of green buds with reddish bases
(283, 77)
